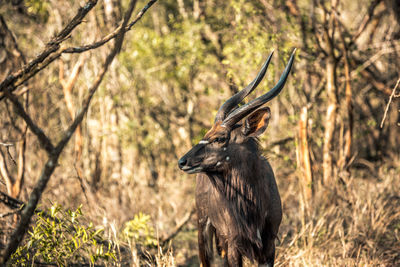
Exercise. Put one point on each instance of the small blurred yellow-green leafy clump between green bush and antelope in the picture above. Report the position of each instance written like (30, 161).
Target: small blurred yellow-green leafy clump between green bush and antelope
(140, 231)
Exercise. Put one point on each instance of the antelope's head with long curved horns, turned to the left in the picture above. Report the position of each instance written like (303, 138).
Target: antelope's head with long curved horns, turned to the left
(220, 144)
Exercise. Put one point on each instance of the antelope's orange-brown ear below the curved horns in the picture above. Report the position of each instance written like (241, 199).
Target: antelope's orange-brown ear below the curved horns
(257, 122)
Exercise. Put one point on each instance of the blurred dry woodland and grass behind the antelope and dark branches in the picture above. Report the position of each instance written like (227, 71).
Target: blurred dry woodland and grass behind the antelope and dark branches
(333, 138)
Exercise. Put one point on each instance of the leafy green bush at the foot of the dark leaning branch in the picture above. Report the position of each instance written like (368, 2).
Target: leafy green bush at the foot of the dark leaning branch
(60, 237)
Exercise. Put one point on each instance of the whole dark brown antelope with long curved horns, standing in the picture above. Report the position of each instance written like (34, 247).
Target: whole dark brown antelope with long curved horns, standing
(237, 198)
